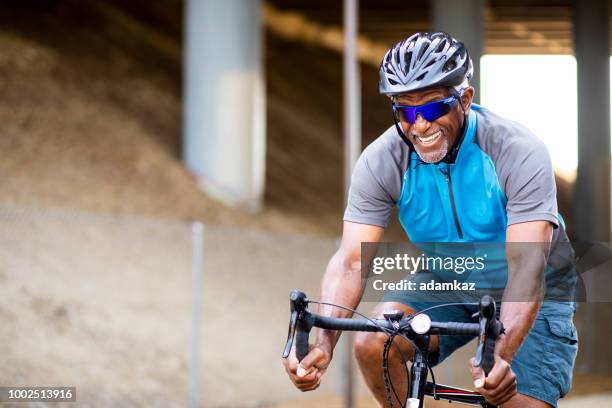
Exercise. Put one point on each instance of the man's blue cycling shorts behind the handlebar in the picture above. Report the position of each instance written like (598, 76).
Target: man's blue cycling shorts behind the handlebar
(543, 364)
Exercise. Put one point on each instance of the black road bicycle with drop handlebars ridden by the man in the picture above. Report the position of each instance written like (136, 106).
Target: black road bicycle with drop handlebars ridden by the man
(415, 328)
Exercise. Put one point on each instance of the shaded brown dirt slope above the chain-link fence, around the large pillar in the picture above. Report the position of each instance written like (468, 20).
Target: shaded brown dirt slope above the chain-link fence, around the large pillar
(95, 125)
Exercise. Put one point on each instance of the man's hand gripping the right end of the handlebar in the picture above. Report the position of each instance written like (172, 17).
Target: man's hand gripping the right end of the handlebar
(499, 386)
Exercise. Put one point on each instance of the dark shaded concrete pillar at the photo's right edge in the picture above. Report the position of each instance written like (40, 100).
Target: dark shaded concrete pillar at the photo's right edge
(592, 192)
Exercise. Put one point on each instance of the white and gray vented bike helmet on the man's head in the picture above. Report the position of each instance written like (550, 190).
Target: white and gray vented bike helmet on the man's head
(425, 60)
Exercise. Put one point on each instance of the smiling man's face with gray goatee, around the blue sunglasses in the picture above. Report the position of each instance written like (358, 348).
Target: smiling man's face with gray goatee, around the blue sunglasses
(432, 140)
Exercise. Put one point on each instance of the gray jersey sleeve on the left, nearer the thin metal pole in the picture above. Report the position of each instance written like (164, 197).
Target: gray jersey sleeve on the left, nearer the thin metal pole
(368, 201)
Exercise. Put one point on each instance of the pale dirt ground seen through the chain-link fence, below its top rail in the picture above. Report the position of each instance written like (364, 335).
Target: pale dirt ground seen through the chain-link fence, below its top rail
(104, 303)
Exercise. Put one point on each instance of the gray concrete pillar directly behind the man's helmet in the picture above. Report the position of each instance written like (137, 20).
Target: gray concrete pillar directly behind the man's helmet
(464, 20)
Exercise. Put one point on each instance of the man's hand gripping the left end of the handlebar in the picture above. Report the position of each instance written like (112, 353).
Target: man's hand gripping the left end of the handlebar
(306, 375)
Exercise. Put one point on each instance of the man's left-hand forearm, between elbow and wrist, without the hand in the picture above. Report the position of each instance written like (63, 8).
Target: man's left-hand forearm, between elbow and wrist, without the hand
(341, 285)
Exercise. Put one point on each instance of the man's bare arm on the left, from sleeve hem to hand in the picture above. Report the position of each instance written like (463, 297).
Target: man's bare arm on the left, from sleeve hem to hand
(341, 285)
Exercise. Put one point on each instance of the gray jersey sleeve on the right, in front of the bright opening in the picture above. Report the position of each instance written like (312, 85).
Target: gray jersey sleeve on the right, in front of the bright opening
(530, 183)
